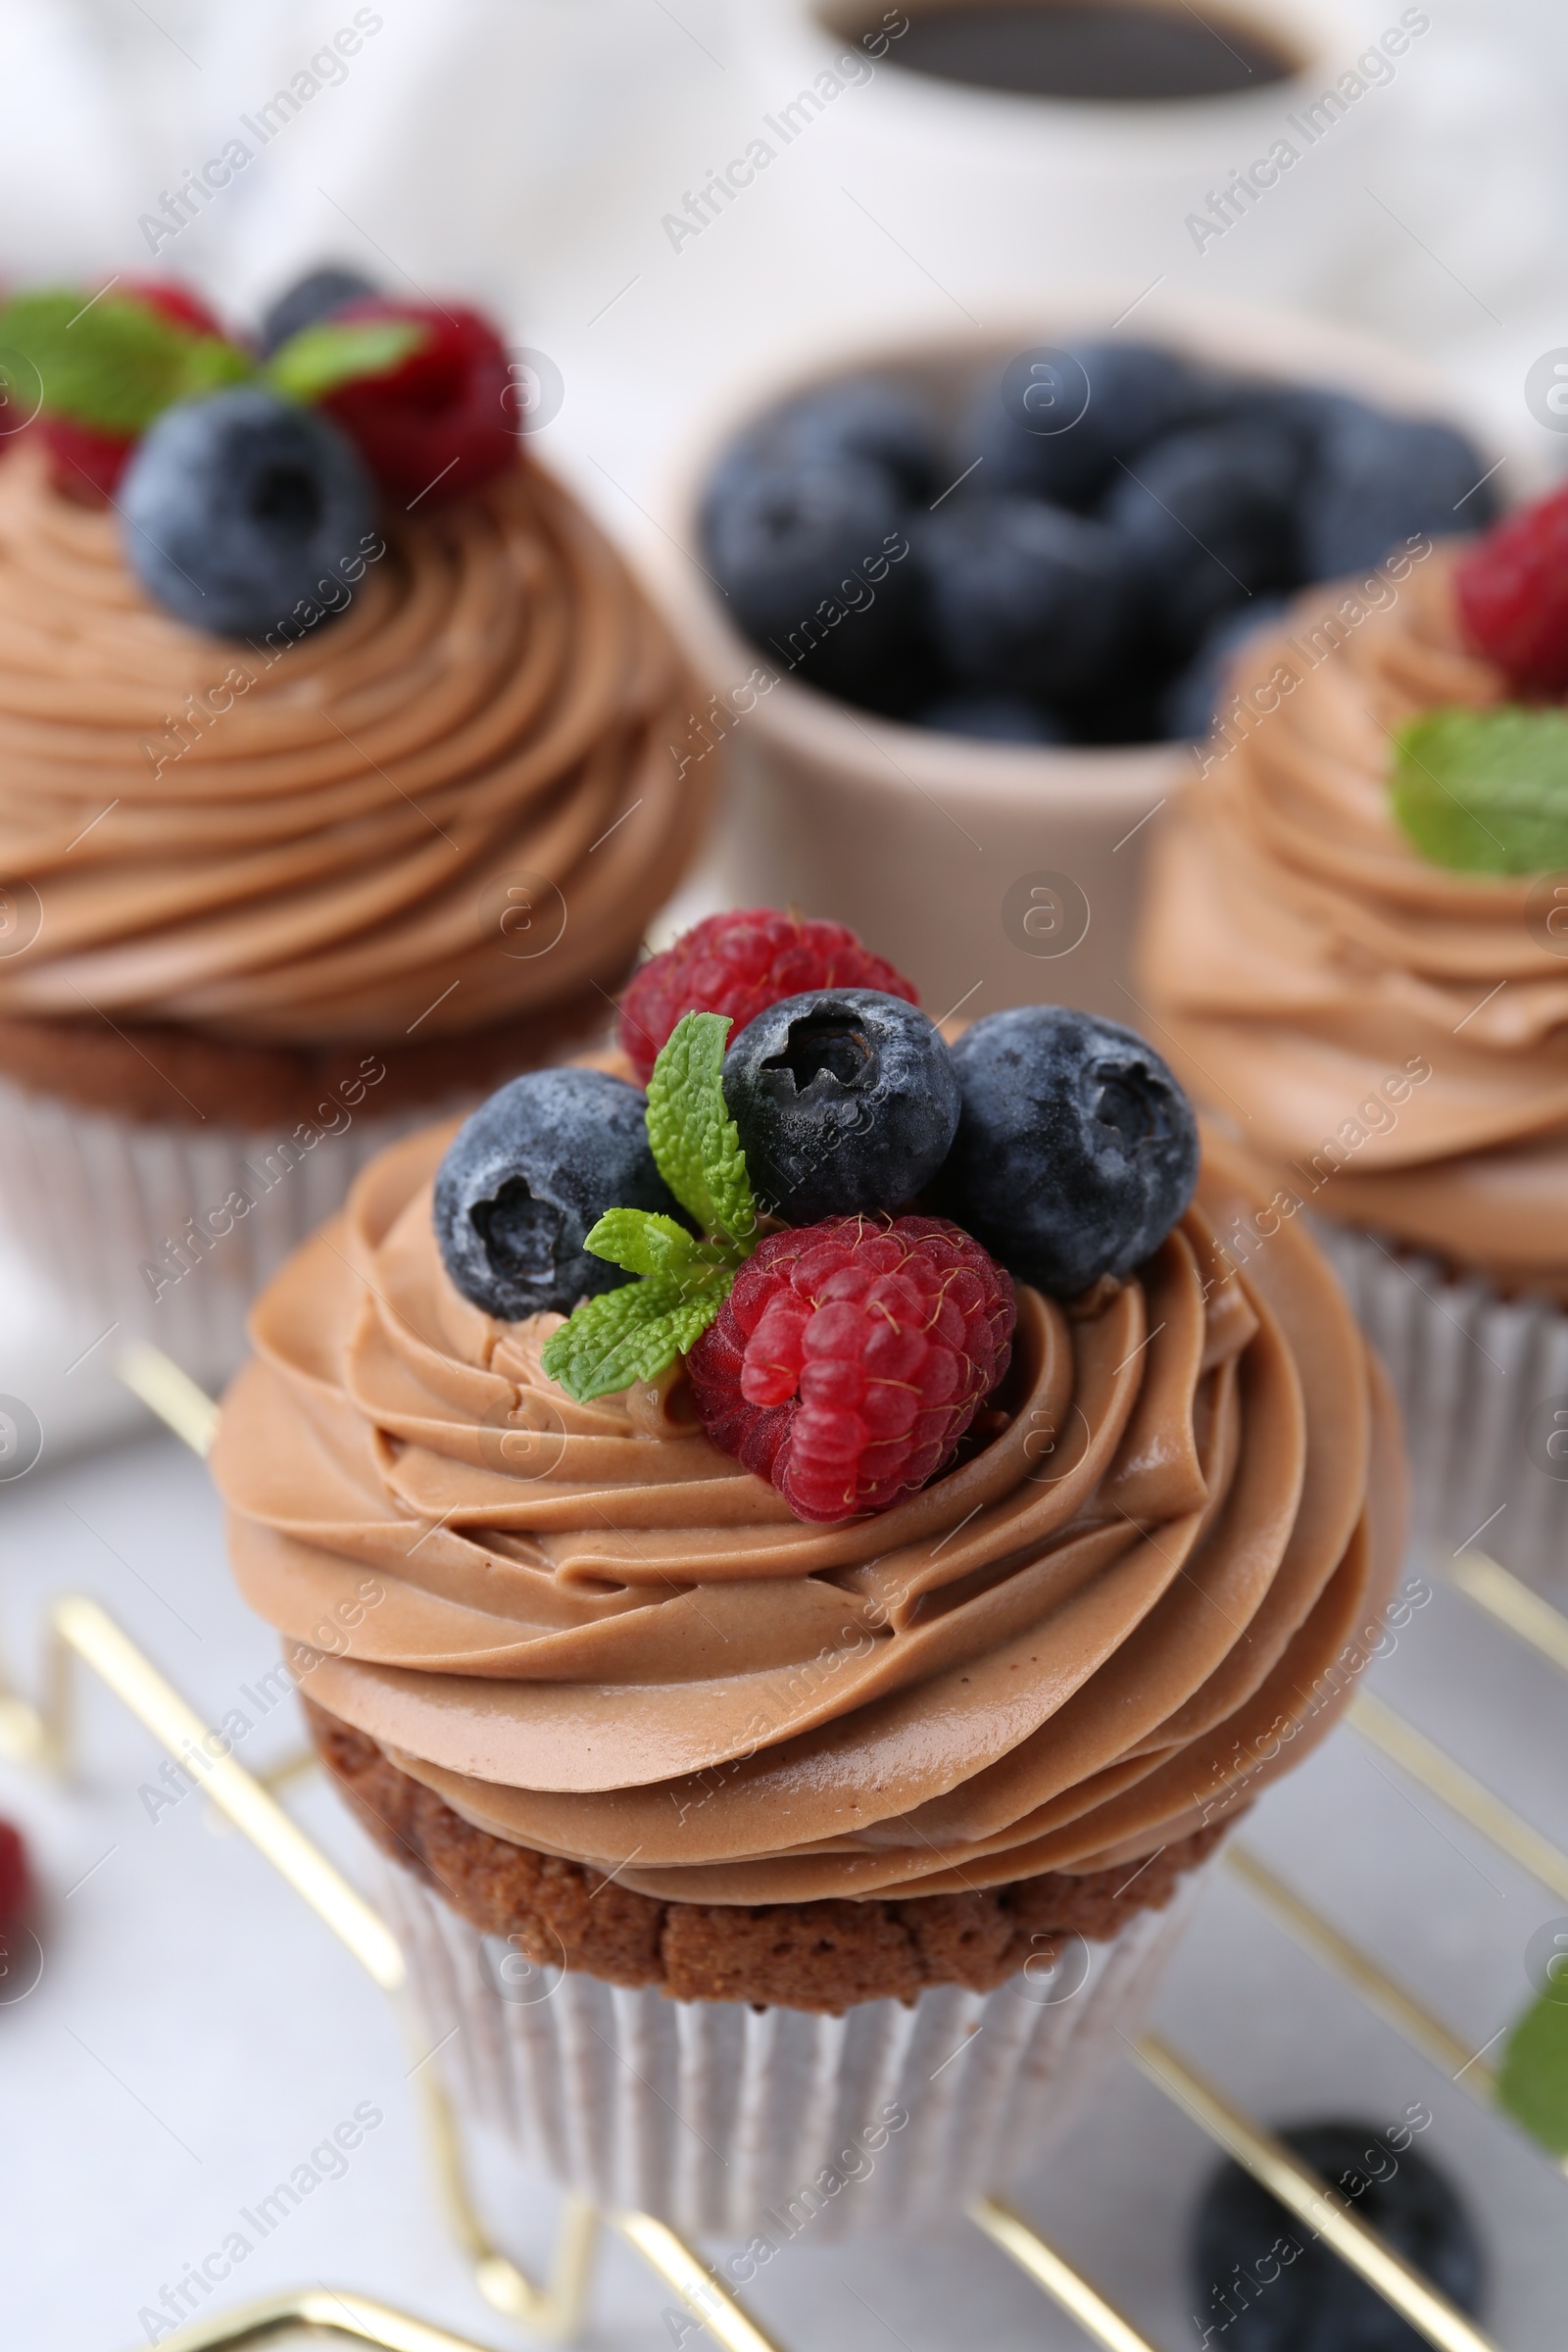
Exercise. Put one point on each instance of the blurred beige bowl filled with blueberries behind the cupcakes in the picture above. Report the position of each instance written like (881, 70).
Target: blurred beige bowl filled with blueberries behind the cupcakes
(967, 608)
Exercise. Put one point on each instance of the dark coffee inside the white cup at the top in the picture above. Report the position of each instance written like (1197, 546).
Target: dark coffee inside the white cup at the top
(1068, 51)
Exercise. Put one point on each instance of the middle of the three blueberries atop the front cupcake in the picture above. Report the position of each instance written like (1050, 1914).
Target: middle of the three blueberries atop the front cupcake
(845, 1100)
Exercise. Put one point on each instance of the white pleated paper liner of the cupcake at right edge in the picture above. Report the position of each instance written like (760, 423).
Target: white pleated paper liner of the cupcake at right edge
(1480, 1382)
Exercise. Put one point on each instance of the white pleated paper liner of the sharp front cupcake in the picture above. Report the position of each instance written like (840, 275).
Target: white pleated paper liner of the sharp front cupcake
(732, 2120)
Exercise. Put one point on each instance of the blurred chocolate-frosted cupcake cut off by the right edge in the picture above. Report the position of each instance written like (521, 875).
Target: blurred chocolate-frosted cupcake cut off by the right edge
(1355, 958)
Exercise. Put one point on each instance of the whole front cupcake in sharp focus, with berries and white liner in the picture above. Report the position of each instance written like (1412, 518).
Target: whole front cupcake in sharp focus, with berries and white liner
(800, 1650)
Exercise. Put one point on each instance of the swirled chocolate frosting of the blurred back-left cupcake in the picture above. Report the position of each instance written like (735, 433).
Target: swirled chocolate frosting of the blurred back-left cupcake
(295, 843)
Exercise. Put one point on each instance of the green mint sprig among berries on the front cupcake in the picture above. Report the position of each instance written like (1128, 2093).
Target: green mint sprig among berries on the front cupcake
(638, 1330)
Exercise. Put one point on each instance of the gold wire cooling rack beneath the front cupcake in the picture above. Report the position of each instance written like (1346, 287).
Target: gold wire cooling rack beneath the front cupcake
(81, 1633)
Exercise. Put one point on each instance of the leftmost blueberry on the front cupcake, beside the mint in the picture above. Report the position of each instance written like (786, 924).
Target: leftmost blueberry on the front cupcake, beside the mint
(528, 1177)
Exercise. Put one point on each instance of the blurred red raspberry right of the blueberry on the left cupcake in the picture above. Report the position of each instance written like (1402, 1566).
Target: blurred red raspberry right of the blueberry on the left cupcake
(436, 425)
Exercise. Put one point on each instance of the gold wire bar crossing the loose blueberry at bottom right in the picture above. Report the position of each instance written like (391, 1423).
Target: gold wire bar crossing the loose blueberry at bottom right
(1308, 2198)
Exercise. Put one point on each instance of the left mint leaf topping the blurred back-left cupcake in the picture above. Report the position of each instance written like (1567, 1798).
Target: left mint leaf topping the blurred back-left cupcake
(114, 363)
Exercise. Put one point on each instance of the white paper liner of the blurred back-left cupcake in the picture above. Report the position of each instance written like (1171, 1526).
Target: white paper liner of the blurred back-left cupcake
(109, 1210)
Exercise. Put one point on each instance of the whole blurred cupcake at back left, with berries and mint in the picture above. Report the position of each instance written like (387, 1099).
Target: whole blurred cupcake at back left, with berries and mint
(335, 780)
